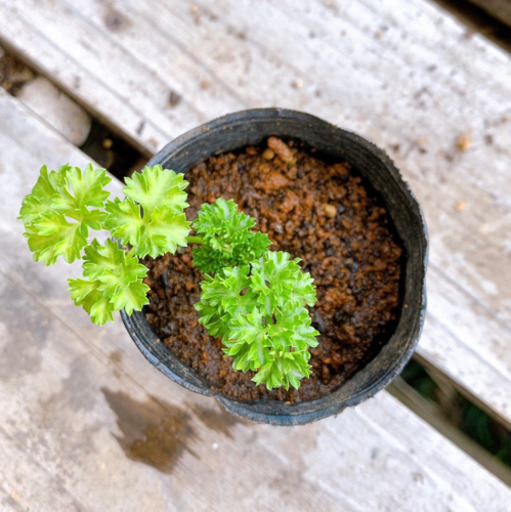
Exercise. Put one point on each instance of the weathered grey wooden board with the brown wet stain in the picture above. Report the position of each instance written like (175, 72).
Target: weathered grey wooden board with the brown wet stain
(88, 424)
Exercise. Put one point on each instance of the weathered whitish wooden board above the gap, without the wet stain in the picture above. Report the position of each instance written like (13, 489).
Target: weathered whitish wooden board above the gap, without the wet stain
(404, 74)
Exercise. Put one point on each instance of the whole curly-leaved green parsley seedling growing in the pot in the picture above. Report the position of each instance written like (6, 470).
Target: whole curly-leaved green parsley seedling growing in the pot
(252, 298)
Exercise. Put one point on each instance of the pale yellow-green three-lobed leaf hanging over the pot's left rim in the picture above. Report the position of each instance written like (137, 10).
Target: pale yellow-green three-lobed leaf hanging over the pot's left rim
(65, 204)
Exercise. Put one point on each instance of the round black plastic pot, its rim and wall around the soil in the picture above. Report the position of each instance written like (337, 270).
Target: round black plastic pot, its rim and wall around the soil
(251, 127)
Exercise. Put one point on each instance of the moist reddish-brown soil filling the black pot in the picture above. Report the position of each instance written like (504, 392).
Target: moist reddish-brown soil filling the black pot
(318, 211)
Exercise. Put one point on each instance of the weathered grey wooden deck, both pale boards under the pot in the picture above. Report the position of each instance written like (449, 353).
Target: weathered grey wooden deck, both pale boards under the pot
(87, 423)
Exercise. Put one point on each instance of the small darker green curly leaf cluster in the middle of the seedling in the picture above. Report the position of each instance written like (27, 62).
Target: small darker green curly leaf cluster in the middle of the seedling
(226, 237)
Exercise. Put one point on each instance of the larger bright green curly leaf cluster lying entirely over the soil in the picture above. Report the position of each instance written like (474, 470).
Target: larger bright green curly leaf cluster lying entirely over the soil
(259, 311)
